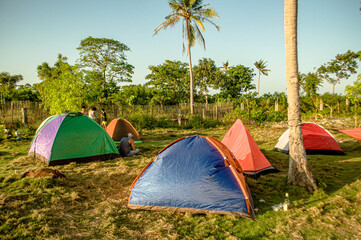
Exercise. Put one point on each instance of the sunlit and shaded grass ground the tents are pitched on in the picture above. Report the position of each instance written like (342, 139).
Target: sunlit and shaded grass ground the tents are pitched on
(91, 202)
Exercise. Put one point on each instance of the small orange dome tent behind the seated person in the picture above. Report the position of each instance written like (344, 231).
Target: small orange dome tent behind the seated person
(119, 128)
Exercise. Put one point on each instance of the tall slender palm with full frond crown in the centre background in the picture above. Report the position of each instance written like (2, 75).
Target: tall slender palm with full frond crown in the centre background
(193, 13)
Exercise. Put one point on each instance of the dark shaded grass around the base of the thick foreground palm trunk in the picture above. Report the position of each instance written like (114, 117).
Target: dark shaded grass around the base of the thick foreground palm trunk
(331, 172)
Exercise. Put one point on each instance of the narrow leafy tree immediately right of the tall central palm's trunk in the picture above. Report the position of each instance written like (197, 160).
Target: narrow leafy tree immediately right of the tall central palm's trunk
(205, 74)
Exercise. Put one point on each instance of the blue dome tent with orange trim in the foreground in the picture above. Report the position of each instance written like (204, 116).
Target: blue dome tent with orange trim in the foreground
(193, 174)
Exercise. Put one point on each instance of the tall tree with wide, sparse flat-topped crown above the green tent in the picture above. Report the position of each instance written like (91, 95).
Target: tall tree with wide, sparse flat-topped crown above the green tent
(106, 57)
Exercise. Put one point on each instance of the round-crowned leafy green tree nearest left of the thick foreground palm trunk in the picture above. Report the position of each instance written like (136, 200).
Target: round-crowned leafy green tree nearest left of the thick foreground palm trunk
(238, 80)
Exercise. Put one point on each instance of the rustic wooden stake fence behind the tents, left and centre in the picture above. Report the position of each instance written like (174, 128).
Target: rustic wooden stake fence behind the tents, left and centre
(31, 113)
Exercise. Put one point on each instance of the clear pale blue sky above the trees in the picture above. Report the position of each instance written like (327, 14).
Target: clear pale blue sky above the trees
(36, 31)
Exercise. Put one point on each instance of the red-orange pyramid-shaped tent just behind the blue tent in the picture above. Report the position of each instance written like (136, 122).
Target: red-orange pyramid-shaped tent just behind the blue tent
(246, 151)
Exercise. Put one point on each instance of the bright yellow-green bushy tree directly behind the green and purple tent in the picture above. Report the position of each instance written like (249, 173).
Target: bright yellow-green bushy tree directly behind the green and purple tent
(62, 88)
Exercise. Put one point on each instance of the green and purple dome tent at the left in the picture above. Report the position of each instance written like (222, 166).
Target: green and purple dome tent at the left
(71, 137)
